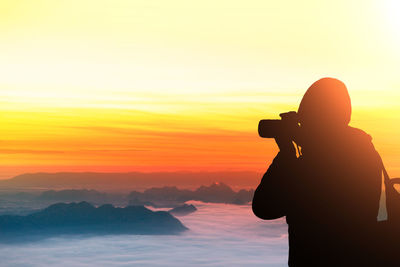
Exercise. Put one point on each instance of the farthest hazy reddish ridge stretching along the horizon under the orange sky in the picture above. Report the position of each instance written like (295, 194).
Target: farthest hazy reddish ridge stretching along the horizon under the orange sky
(125, 181)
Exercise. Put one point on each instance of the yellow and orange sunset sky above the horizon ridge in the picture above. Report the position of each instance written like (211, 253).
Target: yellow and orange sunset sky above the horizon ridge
(129, 85)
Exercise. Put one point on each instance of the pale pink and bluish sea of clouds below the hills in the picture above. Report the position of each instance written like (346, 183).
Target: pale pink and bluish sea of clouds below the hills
(219, 235)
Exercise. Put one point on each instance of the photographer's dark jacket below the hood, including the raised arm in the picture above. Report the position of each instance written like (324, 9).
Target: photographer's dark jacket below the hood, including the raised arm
(330, 197)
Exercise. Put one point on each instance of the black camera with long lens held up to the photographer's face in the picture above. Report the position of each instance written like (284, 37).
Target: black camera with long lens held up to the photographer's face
(287, 126)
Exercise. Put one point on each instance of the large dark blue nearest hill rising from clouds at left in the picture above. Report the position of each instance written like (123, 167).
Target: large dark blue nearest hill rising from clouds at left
(84, 218)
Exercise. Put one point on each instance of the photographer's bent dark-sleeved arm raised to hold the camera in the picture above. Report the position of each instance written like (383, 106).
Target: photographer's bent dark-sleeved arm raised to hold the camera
(270, 199)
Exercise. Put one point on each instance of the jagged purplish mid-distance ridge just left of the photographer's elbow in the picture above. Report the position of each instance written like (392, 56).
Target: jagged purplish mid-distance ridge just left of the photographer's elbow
(172, 196)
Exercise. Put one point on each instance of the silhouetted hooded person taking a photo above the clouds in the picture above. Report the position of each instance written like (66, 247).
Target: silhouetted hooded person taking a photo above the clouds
(330, 193)
